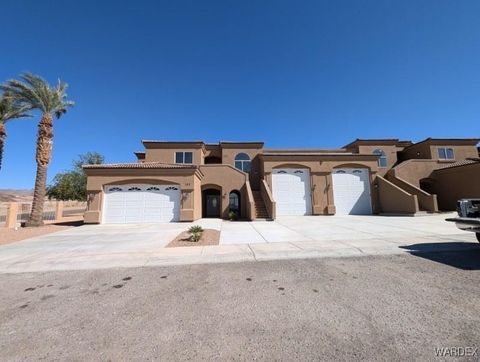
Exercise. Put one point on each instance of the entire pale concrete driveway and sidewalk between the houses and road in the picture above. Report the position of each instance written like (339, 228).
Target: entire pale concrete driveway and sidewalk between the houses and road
(105, 246)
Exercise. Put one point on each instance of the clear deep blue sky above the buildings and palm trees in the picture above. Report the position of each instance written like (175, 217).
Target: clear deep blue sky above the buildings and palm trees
(291, 73)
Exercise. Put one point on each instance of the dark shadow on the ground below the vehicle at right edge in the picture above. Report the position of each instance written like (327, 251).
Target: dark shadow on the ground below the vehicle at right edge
(460, 255)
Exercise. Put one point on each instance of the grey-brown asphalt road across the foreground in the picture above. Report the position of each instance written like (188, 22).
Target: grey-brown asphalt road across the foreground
(398, 307)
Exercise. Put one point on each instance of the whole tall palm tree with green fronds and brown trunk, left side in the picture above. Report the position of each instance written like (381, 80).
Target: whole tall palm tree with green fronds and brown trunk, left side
(34, 92)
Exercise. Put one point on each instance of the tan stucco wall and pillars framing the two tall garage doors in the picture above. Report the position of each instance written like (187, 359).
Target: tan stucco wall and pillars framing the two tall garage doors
(321, 168)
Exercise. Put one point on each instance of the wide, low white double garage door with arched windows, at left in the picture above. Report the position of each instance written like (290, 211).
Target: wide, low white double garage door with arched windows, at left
(141, 204)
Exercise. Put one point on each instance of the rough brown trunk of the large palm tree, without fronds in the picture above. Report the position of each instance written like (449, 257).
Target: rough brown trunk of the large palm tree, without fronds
(43, 155)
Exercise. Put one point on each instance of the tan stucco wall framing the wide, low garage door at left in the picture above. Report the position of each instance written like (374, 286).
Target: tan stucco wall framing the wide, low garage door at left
(187, 179)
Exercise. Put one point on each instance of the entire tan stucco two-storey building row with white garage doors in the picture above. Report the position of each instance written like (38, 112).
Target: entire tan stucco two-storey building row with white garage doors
(185, 181)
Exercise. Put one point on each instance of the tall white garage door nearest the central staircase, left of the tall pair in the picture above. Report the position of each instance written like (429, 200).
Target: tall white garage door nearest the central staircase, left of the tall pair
(291, 191)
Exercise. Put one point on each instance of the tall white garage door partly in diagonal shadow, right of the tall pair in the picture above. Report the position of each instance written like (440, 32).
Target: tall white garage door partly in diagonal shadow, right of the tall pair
(351, 191)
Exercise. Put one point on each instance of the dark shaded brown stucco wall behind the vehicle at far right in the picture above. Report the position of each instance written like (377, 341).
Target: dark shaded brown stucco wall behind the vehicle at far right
(456, 183)
